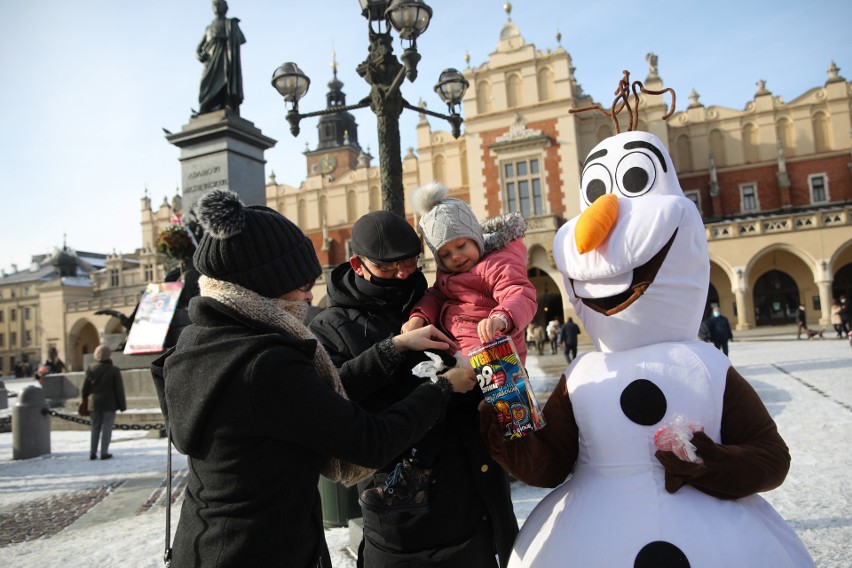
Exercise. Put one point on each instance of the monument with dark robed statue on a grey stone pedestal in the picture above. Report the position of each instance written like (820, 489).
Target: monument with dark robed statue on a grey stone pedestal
(220, 149)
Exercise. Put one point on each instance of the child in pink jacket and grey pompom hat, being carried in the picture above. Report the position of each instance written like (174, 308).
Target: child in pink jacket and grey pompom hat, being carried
(481, 291)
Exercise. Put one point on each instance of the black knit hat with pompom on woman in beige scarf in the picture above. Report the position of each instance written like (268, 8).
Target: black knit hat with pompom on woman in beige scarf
(253, 246)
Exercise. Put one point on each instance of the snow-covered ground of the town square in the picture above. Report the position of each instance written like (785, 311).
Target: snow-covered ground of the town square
(807, 386)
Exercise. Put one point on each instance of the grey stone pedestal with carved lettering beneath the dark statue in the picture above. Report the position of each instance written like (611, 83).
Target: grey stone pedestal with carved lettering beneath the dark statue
(221, 150)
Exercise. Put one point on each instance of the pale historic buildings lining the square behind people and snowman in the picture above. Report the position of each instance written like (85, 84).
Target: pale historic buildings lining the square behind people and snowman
(773, 182)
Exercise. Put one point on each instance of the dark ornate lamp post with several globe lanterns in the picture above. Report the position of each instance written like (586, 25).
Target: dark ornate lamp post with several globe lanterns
(385, 74)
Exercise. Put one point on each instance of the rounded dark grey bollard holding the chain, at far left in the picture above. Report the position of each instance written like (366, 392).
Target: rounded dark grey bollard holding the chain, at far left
(30, 425)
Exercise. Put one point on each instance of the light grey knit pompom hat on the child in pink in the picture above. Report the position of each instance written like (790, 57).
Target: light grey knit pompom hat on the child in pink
(444, 219)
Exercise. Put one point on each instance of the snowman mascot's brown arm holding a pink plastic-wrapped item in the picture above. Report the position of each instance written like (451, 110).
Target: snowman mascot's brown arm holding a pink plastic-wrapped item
(751, 458)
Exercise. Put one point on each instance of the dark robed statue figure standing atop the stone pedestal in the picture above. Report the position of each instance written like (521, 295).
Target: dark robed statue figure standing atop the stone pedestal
(219, 51)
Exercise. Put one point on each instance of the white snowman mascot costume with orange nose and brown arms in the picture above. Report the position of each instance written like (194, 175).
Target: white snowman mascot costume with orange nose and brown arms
(666, 444)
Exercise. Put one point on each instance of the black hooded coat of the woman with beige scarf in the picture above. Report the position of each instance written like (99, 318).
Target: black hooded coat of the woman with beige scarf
(243, 401)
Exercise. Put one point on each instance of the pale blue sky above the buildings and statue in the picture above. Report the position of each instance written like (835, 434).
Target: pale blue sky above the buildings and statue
(89, 85)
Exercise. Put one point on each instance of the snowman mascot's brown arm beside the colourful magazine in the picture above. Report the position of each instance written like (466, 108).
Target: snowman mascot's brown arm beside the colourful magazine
(543, 458)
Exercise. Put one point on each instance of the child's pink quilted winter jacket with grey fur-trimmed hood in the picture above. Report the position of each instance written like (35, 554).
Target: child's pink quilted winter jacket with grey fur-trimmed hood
(498, 283)
